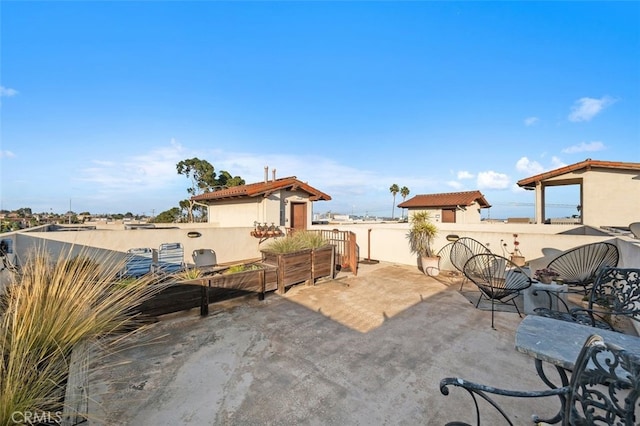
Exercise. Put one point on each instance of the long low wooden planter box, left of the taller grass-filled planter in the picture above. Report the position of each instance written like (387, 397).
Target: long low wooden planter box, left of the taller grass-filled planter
(200, 292)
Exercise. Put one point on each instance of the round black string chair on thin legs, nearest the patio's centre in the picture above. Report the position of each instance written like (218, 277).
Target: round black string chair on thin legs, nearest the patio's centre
(498, 279)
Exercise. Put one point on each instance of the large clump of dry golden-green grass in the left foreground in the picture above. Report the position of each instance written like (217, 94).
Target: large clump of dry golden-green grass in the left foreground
(52, 305)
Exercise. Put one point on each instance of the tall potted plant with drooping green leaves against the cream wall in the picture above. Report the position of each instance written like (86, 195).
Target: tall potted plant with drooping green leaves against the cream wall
(421, 235)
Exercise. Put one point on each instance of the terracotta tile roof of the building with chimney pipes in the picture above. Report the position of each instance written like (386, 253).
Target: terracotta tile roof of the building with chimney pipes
(263, 189)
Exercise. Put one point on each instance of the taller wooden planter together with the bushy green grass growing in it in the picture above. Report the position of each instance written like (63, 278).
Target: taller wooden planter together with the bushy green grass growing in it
(300, 256)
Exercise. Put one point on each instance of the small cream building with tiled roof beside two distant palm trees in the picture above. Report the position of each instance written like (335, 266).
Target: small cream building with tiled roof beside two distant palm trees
(450, 207)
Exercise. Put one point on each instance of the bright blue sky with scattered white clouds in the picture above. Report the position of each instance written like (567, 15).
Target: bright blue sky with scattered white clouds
(101, 100)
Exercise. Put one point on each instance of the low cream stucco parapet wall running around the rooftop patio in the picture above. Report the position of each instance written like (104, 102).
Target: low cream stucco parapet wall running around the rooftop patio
(379, 241)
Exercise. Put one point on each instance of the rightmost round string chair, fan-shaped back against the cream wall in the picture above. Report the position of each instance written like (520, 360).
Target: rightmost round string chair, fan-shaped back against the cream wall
(579, 266)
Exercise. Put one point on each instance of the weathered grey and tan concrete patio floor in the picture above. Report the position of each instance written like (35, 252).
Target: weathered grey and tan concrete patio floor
(365, 350)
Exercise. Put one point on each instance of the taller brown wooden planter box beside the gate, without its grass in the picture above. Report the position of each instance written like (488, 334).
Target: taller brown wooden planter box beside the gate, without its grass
(301, 266)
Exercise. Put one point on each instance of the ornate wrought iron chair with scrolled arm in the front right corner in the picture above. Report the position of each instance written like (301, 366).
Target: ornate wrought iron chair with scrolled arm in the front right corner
(604, 388)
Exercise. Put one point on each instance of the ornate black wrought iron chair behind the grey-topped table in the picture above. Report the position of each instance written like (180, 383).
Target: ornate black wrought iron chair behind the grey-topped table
(615, 294)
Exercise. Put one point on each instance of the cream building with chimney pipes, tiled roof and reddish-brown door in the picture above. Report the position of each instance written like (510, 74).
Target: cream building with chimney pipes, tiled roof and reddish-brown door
(285, 202)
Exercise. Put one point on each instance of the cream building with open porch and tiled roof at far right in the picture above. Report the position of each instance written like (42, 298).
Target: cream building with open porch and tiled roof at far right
(609, 191)
